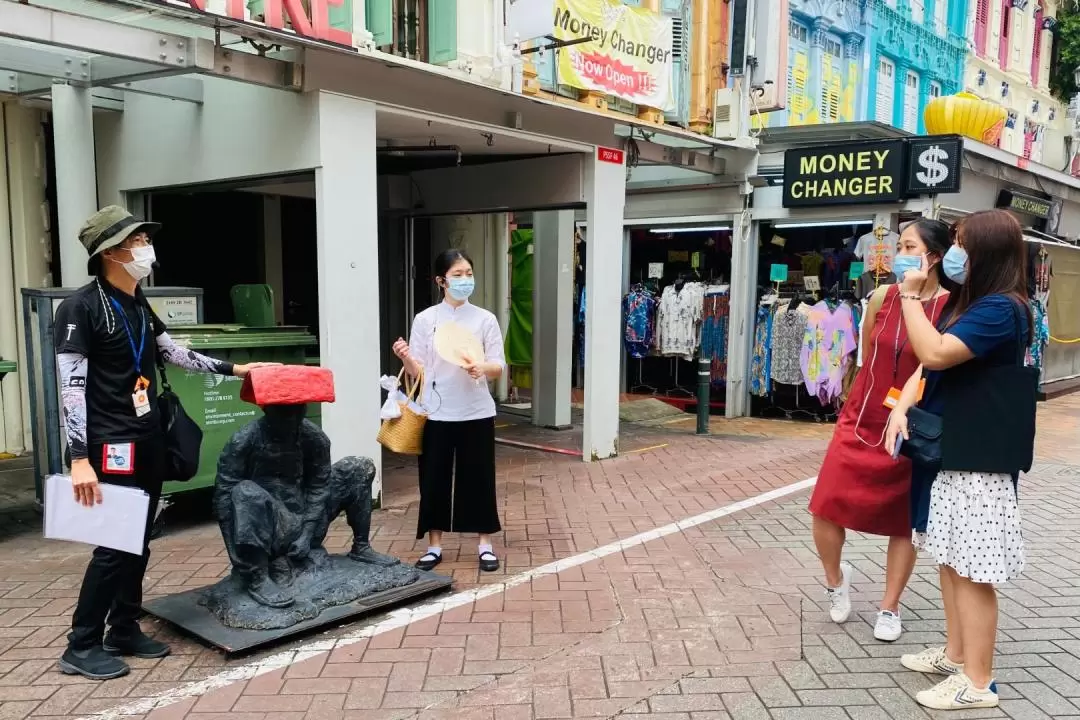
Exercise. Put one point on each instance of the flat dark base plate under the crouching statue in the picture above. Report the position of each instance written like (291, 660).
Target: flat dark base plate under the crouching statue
(190, 614)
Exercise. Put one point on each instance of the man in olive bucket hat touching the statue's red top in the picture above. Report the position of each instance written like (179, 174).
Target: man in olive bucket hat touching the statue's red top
(107, 383)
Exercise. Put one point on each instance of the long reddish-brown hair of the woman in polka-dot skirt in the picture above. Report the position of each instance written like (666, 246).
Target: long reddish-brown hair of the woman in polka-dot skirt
(997, 261)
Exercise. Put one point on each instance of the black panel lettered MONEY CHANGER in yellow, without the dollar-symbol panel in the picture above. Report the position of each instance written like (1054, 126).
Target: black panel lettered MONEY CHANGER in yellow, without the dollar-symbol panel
(844, 174)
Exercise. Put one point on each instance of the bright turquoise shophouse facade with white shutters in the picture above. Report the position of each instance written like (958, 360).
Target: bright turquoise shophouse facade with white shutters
(916, 51)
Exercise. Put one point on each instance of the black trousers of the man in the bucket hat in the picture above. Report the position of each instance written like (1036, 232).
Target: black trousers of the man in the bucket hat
(113, 587)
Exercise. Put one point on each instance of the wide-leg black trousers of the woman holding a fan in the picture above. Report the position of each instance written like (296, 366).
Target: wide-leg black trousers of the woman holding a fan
(457, 478)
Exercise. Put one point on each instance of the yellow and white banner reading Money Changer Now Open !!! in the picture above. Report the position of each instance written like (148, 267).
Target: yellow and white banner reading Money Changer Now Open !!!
(629, 55)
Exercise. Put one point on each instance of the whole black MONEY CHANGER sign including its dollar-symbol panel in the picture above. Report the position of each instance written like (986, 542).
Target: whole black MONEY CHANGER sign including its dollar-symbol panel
(871, 172)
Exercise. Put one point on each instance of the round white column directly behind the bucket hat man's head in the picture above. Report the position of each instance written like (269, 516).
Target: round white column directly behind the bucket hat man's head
(76, 176)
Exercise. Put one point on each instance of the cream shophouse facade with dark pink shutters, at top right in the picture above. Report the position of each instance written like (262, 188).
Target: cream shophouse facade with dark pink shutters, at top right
(1009, 64)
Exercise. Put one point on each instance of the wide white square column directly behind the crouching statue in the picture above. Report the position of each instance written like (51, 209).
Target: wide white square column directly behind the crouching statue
(348, 248)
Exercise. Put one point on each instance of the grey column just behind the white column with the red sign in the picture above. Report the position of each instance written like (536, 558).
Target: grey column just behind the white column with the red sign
(552, 318)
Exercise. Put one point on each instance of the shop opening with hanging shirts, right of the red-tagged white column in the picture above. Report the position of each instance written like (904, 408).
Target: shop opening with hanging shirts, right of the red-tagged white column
(680, 261)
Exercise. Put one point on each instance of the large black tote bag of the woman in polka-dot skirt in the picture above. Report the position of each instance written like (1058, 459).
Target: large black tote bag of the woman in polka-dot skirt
(989, 416)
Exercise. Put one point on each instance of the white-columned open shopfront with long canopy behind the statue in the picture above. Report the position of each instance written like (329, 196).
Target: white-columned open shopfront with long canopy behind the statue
(340, 187)
